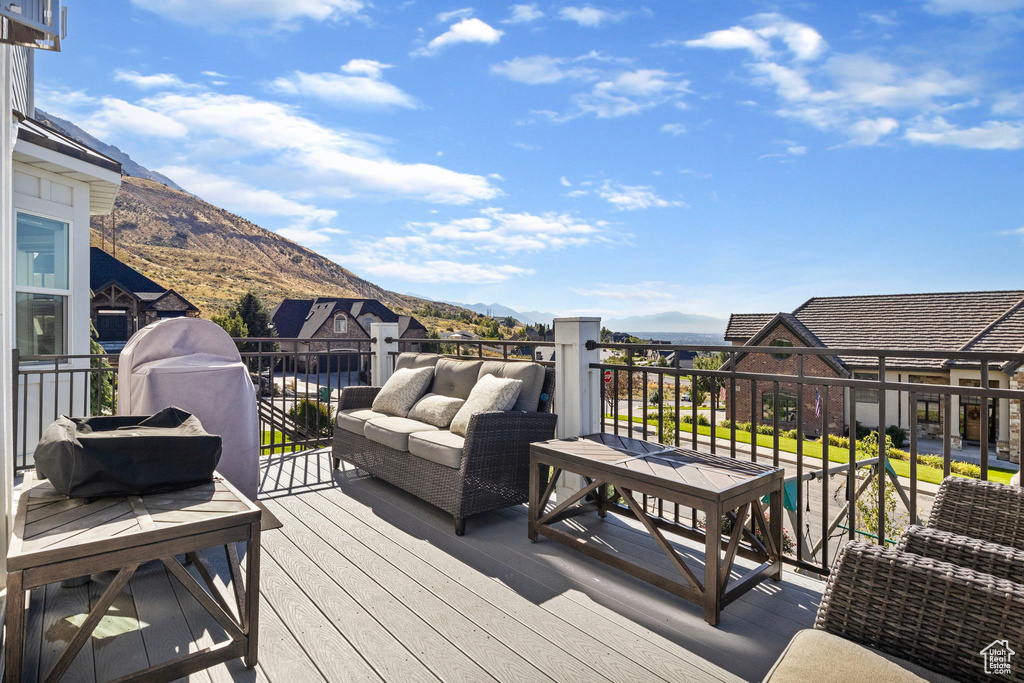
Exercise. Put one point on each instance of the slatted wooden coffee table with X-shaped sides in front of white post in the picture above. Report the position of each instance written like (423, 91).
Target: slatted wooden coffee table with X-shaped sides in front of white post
(615, 467)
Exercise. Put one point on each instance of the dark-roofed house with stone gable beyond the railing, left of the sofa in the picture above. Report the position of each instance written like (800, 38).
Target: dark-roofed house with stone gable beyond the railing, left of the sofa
(331, 324)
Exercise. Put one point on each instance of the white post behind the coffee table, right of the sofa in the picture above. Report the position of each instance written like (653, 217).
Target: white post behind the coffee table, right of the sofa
(578, 391)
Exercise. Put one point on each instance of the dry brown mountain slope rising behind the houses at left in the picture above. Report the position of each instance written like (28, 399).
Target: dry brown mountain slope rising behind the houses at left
(211, 257)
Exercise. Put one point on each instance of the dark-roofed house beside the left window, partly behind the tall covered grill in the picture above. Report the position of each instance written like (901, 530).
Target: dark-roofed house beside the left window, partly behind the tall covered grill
(124, 301)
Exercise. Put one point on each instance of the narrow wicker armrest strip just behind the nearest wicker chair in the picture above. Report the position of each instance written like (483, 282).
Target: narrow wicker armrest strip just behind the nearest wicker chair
(1001, 562)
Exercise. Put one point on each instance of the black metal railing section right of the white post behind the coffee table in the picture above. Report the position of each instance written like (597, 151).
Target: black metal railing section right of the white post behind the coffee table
(801, 402)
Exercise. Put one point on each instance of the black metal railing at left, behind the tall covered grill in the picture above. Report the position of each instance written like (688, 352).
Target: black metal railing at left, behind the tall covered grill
(298, 387)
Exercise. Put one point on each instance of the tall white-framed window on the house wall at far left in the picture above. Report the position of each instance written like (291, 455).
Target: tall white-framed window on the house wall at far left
(41, 285)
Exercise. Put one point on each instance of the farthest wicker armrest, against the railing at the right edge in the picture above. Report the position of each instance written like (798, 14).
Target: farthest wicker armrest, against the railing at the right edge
(980, 509)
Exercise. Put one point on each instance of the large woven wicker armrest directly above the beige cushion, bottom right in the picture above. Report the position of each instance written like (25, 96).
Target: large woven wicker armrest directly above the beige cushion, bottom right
(933, 614)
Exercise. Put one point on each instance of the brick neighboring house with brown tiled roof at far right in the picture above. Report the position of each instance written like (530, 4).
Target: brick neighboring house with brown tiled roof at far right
(942, 322)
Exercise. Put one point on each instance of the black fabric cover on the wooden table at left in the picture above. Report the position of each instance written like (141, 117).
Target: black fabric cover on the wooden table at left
(123, 455)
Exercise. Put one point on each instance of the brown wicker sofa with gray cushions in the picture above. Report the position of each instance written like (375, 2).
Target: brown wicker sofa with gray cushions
(488, 469)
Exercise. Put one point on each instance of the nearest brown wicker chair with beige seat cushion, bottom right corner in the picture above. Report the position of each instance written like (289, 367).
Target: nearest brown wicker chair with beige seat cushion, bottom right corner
(894, 616)
